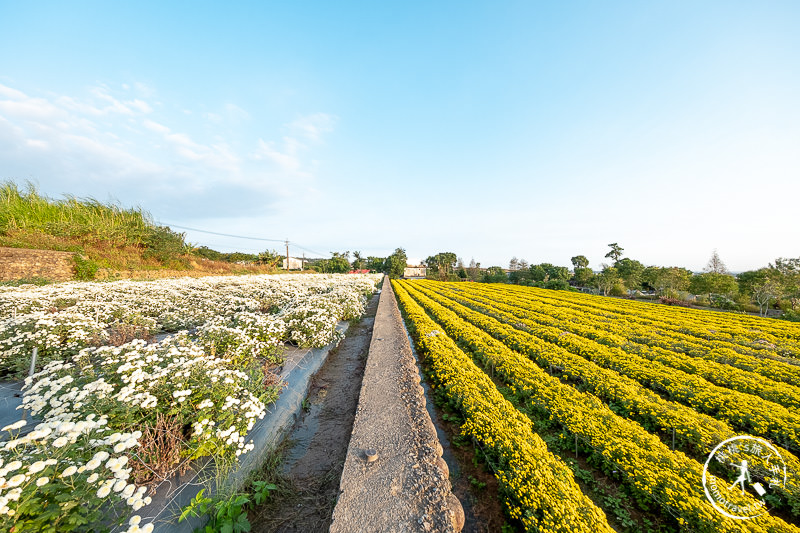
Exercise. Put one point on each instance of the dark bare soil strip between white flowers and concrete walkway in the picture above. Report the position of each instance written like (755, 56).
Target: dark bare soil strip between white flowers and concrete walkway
(313, 453)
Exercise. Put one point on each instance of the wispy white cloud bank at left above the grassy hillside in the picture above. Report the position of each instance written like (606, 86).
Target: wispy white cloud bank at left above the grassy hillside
(120, 139)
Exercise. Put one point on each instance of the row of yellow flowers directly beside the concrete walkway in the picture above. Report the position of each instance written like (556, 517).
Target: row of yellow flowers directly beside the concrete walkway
(543, 493)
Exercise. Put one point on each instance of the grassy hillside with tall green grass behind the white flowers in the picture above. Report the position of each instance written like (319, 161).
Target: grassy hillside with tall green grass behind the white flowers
(110, 240)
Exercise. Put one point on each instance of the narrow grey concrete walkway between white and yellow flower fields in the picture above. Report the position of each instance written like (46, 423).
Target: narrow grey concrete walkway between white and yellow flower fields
(406, 487)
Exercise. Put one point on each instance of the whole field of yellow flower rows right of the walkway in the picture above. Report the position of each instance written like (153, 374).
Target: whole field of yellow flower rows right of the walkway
(596, 413)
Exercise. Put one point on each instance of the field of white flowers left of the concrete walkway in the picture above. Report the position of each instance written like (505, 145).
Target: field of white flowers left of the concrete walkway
(136, 379)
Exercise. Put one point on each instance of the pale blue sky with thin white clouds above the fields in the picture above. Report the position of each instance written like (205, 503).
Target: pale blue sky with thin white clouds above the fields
(540, 130)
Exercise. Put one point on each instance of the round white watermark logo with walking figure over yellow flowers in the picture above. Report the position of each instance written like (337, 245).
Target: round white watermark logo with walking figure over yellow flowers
(739, 472)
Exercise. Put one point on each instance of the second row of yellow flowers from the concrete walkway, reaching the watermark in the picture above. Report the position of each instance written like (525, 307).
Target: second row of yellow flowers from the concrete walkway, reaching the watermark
(670, 478)
